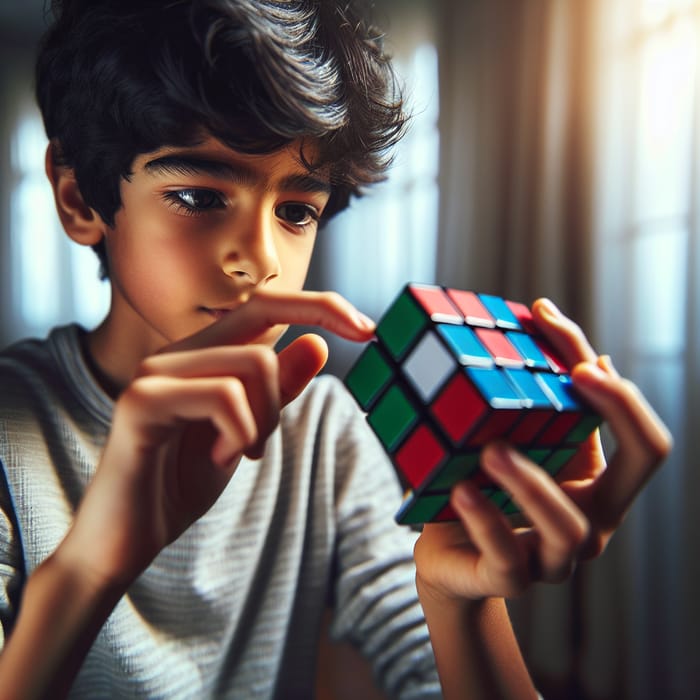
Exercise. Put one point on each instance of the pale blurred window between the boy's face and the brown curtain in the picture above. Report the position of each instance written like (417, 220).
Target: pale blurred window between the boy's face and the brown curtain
(389, 237)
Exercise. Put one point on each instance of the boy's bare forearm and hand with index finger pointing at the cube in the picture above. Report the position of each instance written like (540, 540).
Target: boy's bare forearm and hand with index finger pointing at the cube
(178, 432)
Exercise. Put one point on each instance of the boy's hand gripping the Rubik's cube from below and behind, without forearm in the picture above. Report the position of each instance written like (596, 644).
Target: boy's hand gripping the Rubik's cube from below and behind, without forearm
(484, 555)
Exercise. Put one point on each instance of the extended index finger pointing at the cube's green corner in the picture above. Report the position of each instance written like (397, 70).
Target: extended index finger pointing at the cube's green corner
(266, 309)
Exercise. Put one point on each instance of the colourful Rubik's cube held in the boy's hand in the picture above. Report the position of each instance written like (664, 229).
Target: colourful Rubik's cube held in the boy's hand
(451, 370)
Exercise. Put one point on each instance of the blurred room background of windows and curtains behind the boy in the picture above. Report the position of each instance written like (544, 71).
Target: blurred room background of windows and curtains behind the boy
(554, 151)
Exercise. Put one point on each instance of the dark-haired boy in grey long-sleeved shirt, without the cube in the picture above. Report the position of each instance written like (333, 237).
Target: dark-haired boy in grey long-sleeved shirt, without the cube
(179, 503)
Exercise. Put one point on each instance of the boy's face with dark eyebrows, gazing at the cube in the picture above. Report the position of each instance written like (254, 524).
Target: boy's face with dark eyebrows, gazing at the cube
(200, 229)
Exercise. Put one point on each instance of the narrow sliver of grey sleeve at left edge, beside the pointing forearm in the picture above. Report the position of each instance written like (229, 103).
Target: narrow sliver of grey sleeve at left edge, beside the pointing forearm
(11, 565)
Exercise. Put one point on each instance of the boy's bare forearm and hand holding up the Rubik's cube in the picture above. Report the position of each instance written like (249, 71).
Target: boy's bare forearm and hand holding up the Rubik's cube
(464, 568)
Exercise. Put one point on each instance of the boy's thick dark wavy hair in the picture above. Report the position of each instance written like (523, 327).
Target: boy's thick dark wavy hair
(118, 78)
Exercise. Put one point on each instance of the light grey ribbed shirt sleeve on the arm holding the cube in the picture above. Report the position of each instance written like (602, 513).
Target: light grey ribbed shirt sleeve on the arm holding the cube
(375, 600)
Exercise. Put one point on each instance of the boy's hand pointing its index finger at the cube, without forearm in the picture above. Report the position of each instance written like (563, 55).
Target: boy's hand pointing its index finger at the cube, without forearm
(179, 429)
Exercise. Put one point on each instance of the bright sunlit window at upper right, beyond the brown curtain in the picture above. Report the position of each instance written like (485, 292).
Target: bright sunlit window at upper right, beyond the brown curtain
(648, 176)
